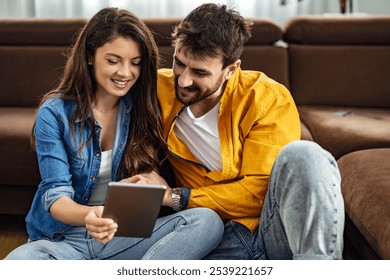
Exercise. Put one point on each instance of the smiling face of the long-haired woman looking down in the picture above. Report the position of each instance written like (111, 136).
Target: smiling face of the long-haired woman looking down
(117, 66)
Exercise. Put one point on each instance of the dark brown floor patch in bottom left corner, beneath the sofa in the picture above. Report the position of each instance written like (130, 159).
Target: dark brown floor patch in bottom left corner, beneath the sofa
(12, 233)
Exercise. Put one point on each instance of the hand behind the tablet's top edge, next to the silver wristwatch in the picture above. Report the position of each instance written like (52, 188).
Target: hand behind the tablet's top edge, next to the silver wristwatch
(152, 178)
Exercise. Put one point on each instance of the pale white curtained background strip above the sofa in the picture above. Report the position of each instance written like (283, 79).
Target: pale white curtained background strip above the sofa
(163, 8)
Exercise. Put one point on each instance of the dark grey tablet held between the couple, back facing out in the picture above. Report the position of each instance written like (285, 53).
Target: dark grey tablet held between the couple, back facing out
(134, 207)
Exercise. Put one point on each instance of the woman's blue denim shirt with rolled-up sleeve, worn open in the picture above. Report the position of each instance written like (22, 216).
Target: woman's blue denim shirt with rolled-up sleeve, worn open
(64, 170)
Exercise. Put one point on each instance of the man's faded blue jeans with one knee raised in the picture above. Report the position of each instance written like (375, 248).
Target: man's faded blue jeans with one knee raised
(302, 215)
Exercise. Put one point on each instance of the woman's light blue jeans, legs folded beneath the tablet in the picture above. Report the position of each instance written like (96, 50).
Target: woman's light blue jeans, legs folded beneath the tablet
(189, 234)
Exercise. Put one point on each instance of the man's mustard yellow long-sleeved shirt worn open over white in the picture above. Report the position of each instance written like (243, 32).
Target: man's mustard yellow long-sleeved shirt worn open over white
(257, 117)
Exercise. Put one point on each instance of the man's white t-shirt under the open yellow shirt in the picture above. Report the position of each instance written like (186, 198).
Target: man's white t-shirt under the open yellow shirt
(201, 136)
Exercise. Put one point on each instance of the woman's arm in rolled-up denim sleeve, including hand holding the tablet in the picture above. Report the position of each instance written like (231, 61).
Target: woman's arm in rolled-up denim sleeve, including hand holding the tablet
(57, 184)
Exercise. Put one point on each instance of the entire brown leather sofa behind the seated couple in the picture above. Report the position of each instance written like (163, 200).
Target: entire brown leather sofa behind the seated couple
(337, 69)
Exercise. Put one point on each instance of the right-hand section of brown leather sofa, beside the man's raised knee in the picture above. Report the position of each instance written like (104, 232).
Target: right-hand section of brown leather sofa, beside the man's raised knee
(339, 71)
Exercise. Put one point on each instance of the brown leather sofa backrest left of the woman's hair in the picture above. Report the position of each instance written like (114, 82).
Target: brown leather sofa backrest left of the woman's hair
(32, 55)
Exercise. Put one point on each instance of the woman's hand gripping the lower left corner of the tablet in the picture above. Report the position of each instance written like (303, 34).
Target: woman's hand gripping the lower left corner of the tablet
(102, 229)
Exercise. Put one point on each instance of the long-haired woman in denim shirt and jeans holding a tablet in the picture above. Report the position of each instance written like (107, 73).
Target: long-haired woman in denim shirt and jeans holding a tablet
(103, 124)
